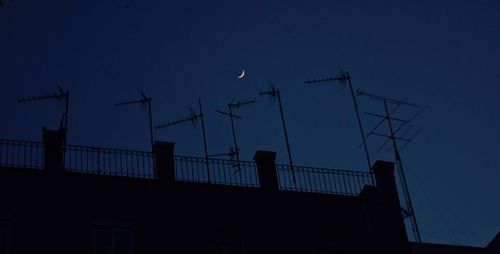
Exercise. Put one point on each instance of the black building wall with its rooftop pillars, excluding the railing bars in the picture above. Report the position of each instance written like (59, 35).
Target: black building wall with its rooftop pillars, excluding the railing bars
(54, 211)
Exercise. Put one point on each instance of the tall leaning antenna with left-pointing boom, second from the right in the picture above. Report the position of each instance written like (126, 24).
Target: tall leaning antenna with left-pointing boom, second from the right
(344, 79)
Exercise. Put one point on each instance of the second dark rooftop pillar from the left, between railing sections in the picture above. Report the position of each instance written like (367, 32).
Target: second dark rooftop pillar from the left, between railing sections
(165, 161)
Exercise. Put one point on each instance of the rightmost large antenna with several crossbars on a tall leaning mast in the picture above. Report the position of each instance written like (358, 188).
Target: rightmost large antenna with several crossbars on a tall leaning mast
(407, 211)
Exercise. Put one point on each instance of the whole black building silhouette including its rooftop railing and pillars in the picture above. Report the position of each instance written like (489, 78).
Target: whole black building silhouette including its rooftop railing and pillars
(60, 198)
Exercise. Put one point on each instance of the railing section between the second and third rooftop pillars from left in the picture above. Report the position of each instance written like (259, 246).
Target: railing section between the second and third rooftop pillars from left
(226, 172)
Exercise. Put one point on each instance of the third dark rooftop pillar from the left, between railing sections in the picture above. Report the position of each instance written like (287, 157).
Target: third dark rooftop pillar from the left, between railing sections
(266, 167)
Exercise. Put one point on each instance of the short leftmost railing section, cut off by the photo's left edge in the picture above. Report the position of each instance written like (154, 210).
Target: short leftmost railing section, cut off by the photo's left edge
(21, 154)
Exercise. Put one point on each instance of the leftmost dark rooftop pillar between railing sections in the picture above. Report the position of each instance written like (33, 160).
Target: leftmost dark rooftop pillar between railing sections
(54, 150)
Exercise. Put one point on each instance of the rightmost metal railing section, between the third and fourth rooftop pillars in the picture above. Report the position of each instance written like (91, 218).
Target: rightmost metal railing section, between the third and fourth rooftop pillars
(321, 180)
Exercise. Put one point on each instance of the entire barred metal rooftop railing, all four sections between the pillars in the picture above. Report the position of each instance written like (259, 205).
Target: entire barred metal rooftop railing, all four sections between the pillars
(141, 164)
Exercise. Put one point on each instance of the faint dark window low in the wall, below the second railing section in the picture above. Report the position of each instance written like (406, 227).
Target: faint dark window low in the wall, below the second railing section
(113, 240)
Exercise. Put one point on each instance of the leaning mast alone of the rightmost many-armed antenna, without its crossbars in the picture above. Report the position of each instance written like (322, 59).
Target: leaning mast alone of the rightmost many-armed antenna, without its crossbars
(406, 192)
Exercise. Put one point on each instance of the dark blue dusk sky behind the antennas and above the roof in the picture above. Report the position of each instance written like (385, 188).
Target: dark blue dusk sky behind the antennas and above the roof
(445, 54)
